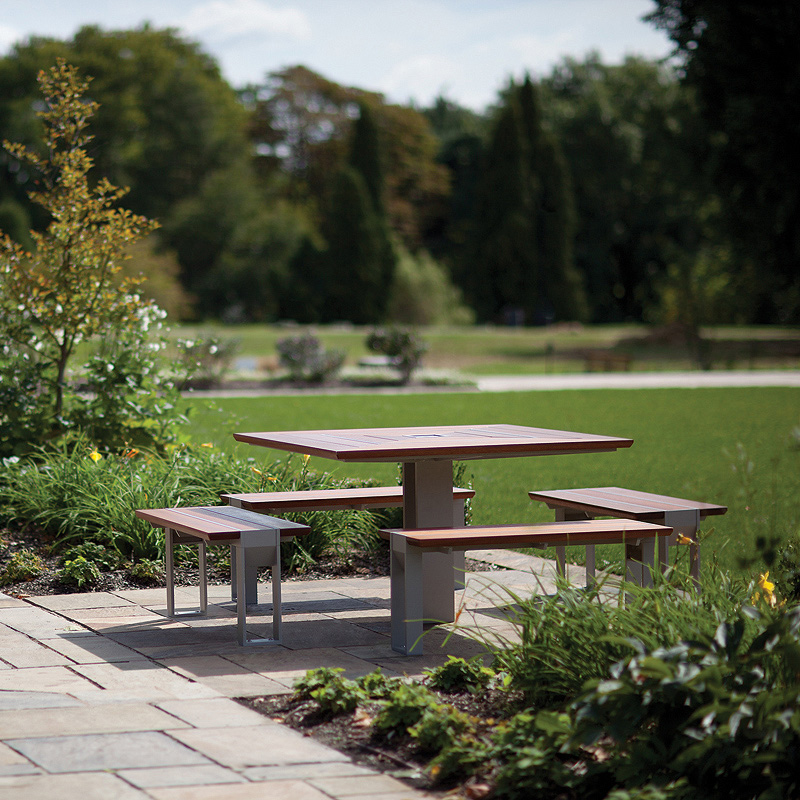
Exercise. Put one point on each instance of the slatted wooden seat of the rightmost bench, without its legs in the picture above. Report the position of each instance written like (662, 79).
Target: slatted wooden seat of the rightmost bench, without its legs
(615, 500)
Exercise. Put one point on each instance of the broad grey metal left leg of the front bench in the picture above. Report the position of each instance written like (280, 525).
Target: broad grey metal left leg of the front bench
(406, 591)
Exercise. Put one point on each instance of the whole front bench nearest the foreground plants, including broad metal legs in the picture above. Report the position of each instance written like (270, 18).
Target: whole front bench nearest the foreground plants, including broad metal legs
(408, 547)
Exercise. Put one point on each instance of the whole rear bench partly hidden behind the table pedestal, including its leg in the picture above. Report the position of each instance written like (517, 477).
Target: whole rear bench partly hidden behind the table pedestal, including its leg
(359, 498)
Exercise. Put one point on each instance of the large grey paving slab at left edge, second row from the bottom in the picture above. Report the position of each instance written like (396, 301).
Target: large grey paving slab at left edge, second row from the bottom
(106, 751)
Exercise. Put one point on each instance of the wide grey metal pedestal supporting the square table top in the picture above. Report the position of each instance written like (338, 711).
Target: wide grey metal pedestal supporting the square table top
(428, 503)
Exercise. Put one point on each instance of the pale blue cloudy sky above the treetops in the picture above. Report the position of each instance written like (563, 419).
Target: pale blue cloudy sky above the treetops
(409, 50)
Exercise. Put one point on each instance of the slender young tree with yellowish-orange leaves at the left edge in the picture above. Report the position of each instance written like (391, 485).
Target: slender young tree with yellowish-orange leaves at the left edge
(67, 288)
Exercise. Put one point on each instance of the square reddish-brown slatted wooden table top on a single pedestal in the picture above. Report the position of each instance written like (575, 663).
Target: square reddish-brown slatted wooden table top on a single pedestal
(446, 442)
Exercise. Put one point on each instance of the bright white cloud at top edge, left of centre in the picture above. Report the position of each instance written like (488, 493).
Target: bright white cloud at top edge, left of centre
(221, 19)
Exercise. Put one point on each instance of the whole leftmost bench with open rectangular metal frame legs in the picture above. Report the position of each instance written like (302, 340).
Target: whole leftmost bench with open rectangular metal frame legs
(254, 540)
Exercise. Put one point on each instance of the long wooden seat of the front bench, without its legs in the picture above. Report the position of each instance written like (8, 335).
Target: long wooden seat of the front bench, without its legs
(551, 533)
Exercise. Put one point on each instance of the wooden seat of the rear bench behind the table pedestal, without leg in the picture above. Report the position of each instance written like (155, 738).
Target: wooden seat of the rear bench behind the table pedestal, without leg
(330, 499)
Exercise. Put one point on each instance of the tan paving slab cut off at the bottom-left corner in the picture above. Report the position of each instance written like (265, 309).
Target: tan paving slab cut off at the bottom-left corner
(82, 786)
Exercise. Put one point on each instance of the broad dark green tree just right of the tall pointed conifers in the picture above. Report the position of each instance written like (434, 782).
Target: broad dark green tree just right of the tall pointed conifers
(628, 133)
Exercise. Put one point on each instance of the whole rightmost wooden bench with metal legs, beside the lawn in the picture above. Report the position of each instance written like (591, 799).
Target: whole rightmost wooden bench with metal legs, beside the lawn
(683, 516)
